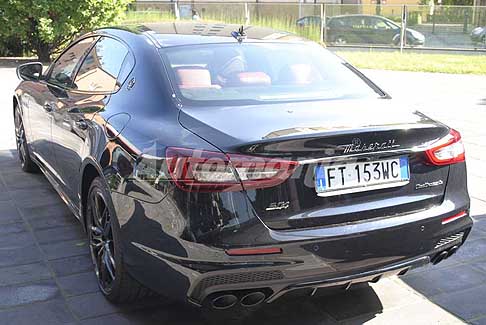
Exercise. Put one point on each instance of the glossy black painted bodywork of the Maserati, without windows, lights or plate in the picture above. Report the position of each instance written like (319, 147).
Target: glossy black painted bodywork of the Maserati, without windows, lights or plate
(174, 241)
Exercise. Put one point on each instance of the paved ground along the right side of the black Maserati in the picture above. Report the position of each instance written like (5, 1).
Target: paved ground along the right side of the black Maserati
(459, 283)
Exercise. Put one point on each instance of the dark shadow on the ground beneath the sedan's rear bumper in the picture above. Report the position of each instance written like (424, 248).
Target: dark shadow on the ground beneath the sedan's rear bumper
(360, 302)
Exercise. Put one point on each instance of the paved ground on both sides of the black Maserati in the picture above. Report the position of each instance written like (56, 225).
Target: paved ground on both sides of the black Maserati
(46, 276)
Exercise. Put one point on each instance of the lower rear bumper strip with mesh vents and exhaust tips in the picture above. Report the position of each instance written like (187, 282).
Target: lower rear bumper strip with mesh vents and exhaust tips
(278, 281)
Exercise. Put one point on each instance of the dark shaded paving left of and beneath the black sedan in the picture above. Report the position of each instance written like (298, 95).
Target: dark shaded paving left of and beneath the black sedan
(56, 241)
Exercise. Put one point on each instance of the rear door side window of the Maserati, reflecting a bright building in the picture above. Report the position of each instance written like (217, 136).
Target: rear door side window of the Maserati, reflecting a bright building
(101, 69)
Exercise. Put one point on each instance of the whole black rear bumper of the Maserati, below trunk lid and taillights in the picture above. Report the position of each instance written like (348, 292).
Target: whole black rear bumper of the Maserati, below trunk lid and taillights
(184, 257)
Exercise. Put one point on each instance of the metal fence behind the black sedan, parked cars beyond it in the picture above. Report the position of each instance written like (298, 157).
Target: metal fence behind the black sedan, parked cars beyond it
(374, 25)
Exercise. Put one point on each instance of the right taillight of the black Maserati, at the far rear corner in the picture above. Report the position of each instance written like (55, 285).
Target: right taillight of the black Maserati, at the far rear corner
(448, 150)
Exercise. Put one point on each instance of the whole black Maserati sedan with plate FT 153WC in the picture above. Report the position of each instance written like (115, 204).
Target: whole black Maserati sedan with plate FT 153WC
(227, 166)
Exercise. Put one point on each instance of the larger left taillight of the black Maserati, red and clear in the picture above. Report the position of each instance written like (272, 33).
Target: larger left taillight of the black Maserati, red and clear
(208, 171)
